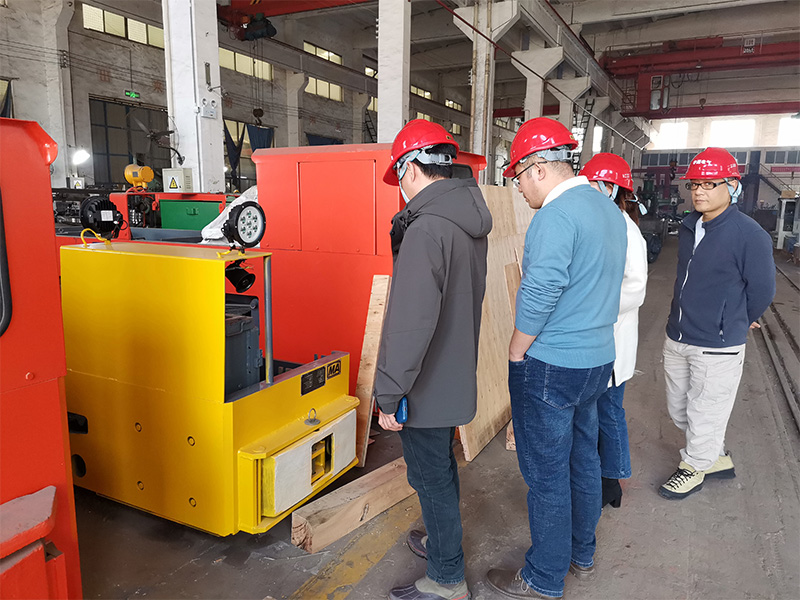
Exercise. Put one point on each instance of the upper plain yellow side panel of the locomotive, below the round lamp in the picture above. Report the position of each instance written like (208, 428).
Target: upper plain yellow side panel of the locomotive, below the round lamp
(152, 319)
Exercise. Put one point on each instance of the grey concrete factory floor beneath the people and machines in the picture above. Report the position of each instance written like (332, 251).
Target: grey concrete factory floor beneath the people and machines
(735, 539)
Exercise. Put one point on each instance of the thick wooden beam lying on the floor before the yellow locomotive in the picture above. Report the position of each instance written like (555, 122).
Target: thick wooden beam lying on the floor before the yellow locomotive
(322, 522)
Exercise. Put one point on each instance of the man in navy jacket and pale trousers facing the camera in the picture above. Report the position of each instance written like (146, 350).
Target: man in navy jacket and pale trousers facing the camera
(725, 282)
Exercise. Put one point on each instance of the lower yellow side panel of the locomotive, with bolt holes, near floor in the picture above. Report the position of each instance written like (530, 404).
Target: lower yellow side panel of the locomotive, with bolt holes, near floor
(162, 453)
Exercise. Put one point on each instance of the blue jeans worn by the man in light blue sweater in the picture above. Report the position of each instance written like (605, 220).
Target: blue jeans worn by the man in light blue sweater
(555, 426)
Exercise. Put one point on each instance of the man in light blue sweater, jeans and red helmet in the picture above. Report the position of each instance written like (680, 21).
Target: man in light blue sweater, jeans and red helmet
(560, 357)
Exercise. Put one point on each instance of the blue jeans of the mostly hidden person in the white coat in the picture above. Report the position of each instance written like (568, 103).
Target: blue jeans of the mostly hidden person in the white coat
(615, 454)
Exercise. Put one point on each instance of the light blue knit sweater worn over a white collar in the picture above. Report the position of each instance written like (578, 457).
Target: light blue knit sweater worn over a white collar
(572, 274)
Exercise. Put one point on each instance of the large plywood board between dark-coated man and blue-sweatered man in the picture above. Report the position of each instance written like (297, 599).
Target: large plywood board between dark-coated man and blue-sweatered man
(511, 217)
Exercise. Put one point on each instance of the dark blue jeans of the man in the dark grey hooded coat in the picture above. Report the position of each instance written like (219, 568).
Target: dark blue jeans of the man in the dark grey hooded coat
(433, 473)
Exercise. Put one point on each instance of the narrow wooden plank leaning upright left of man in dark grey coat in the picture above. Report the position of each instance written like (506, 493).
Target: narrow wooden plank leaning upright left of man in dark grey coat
(369, 359)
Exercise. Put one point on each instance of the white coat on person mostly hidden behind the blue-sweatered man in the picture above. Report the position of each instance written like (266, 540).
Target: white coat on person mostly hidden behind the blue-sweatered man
(634, 282)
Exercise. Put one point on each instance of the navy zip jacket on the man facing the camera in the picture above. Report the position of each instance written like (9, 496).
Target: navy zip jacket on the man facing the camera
(724, 284)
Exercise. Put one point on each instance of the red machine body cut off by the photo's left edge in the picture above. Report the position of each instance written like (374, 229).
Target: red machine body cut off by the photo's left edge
(34, 446)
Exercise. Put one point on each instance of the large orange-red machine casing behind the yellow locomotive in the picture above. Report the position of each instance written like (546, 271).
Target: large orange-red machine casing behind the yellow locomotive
(328, 219)
